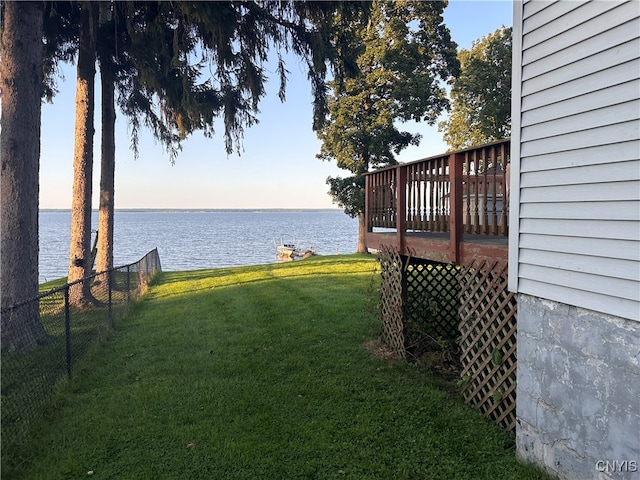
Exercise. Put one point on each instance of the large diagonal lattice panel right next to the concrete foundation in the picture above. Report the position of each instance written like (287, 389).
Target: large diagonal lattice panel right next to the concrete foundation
(488, 342)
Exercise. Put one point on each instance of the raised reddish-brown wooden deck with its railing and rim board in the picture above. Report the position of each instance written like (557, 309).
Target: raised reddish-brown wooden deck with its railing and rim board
(449, 208)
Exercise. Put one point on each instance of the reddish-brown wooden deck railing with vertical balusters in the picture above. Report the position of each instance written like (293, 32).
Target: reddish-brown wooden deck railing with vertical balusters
(462, 192)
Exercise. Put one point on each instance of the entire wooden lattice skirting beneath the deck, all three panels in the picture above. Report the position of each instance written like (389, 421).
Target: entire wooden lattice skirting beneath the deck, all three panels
(486, 330)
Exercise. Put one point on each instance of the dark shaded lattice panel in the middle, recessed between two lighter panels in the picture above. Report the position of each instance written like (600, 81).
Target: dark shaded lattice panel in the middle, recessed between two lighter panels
(432, 302)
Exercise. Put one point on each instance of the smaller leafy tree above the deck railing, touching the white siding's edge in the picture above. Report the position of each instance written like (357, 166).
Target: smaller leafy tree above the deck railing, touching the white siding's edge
(481, 95)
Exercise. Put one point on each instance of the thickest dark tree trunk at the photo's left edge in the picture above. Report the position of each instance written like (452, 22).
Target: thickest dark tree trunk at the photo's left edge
(21, 83)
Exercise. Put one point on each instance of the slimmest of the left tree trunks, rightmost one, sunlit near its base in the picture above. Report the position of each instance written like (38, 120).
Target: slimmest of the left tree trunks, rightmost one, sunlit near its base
(107, 169)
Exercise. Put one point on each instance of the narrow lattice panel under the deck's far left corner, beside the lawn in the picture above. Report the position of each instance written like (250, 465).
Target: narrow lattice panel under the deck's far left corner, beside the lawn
(391, 270)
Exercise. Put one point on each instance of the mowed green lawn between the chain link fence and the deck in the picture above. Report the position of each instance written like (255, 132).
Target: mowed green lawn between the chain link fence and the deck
(259, 373)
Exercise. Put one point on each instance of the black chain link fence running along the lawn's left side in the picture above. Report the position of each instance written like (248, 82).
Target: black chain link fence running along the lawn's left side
(51, 333)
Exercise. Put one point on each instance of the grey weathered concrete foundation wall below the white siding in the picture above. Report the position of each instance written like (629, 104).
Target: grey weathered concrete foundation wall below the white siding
(578, 394)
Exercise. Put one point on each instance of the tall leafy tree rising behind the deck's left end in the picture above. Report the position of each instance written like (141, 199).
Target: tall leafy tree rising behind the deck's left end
(404, 53)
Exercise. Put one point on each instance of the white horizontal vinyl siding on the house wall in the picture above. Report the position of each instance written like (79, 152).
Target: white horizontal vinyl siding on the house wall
(575, 206)
